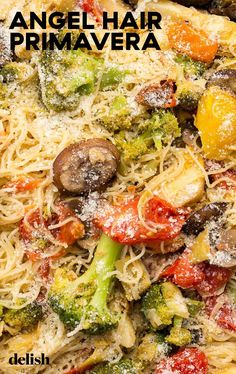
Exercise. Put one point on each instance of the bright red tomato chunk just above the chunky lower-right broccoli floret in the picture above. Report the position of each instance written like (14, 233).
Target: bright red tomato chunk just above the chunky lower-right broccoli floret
(183, 273)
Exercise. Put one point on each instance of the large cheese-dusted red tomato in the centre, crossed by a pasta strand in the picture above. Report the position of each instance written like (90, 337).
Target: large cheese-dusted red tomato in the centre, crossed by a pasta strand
(123, 224)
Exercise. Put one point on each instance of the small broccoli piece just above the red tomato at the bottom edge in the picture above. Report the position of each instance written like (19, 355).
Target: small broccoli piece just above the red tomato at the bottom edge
(179, 335)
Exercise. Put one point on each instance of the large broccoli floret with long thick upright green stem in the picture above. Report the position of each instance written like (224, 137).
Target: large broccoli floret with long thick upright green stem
(83, 300)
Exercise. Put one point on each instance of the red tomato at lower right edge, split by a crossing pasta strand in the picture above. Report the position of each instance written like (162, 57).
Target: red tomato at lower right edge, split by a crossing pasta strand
(225, 317)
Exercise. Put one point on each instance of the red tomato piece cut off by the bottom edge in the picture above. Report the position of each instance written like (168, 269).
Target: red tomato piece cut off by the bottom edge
(187, 361)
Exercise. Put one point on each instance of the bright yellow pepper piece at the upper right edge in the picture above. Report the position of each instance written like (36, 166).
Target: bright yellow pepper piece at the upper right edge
(216, 122)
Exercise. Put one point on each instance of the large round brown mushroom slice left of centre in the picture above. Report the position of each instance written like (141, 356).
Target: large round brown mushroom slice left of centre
(85, 166)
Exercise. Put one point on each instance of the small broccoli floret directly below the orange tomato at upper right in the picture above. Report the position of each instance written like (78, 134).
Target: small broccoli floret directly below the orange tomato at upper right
(191, 68)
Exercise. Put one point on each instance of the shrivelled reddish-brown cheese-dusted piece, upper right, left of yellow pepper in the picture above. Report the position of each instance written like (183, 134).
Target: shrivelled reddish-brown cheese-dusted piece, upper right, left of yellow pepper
(158, 95)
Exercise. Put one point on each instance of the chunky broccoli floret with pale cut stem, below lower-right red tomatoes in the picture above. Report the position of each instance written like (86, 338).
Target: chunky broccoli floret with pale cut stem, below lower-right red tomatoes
(161, 303)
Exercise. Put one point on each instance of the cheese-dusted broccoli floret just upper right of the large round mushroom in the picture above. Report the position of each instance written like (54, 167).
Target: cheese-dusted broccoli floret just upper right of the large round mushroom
(152, 132)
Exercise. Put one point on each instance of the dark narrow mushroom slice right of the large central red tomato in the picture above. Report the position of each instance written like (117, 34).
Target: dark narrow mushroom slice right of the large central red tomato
(197, 221)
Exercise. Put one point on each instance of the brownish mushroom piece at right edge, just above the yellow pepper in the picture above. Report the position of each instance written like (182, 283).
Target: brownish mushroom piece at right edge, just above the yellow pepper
(225, 79)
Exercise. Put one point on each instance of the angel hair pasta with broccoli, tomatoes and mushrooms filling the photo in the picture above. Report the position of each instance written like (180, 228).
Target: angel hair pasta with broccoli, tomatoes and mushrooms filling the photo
(130, 228)
